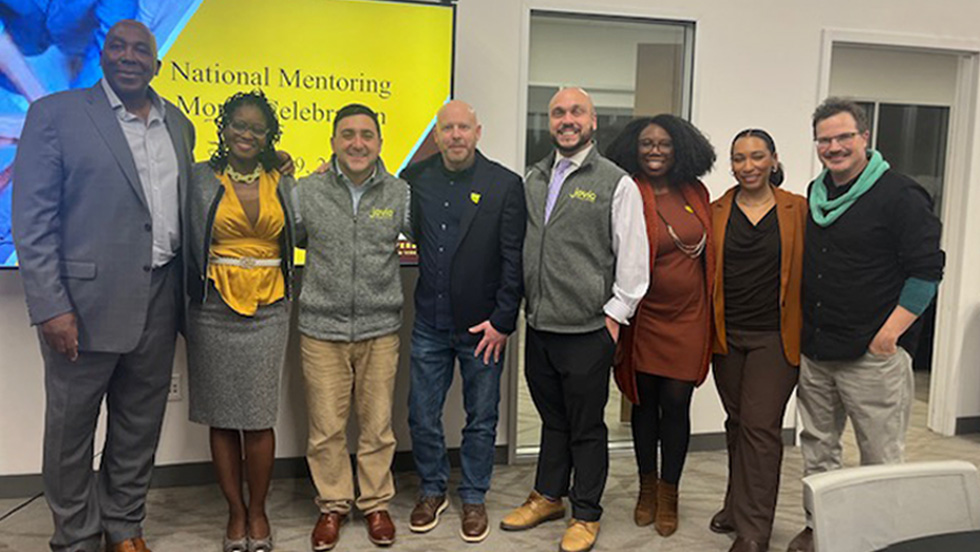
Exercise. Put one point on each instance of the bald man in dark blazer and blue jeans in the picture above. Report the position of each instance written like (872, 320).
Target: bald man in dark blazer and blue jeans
(469, 219)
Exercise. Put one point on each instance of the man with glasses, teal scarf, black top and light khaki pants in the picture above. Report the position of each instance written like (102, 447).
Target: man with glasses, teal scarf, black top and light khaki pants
(871, 266)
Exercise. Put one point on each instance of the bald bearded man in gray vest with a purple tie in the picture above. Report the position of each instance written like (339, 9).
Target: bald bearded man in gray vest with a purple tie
(586, 268)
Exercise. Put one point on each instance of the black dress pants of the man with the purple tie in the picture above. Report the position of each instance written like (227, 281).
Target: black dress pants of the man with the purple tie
(568, 377)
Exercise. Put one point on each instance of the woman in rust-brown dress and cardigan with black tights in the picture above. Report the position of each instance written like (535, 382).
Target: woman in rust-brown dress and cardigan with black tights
(663, 353)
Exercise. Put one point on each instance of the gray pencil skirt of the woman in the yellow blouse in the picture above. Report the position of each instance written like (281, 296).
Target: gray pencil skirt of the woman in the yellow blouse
(234, 363)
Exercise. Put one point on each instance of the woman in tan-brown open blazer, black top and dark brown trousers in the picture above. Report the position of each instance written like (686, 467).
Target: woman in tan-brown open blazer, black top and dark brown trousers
(758, 230)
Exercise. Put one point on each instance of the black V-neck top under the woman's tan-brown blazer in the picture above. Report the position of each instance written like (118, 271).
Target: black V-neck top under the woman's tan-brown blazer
(752, 264)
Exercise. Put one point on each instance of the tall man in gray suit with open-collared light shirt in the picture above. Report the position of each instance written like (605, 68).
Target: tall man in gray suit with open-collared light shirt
(99, 177)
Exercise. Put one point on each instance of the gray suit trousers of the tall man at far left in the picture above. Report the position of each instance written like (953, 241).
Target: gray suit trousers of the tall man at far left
(135, 386)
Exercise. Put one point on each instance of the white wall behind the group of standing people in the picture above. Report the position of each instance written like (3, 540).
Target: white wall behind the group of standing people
(756, 64)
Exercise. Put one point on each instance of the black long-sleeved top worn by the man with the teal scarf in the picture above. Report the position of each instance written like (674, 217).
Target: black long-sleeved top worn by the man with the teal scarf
(854, 269)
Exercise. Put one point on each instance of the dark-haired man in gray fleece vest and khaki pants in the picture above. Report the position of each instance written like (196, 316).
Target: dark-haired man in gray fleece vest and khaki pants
(350, 310)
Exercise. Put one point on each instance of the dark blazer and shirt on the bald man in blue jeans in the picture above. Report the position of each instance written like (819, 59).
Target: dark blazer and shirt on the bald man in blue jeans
(485, 258)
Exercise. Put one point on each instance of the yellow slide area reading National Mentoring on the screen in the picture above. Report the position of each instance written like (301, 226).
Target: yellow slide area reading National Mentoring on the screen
(311, 57)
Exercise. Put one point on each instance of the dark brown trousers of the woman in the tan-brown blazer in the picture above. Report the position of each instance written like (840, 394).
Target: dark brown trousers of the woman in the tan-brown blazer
(755, 382)
